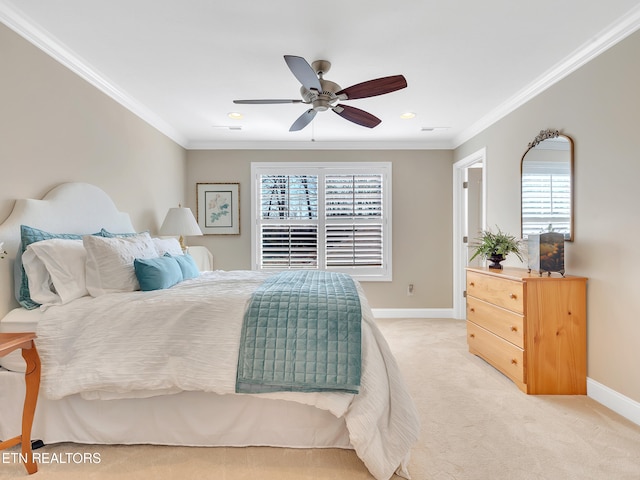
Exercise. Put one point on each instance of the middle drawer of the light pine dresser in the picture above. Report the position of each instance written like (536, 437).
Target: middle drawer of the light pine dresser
(504, 323)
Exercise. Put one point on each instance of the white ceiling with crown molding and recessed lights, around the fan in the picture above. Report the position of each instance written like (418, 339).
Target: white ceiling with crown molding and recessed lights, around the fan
(179, 64)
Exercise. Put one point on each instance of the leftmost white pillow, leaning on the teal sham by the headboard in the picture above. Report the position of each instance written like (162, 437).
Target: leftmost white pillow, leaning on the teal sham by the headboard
(64, 261)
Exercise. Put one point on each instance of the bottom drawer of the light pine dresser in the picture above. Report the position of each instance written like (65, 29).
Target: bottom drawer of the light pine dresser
(503, 355)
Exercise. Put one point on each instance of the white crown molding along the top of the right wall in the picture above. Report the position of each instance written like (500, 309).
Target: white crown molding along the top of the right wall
(610, 36)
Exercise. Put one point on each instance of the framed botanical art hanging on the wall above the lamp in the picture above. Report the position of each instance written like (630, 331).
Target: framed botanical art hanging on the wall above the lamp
(218, 208)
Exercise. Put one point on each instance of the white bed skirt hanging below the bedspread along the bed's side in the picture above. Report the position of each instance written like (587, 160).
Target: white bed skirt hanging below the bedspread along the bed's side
(187, 418)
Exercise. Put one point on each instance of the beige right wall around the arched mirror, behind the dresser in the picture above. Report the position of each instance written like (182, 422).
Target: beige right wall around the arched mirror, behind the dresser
(599, 107)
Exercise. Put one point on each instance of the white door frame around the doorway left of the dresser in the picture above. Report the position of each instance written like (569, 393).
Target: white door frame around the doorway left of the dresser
(460, 224)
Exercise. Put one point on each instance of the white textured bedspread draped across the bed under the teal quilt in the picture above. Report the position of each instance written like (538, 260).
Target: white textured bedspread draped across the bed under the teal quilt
(186, 338)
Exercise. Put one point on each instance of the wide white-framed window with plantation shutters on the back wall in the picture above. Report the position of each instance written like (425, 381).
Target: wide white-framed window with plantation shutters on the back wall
(328, 216)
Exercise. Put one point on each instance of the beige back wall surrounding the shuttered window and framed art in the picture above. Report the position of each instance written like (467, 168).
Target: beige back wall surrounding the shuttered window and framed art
(422, 221)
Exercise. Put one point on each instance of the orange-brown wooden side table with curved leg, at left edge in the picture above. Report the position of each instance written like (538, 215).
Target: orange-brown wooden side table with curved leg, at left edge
(25, 341)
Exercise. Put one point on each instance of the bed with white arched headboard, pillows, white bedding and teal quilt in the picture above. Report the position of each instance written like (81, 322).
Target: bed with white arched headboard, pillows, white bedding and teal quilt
(105, 382)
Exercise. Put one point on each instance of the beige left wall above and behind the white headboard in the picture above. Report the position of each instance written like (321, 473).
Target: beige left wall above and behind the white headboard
(55, 128)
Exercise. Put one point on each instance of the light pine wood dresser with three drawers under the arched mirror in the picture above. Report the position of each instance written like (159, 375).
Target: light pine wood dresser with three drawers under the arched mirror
(531, 328)
